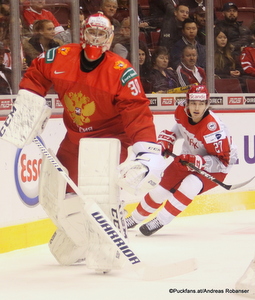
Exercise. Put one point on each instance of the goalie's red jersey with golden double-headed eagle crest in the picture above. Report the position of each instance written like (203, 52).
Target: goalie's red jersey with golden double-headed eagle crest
(105, 102)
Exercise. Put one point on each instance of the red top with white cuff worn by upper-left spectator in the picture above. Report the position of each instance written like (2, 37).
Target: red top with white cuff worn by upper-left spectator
(30, 16)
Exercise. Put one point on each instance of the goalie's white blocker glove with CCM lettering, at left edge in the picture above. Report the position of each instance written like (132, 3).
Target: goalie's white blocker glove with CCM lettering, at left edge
(26, 120)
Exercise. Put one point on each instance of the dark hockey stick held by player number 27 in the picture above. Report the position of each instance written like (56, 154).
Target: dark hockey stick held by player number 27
(210, 177)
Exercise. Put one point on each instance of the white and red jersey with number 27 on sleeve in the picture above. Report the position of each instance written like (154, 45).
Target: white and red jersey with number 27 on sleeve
(208, 138)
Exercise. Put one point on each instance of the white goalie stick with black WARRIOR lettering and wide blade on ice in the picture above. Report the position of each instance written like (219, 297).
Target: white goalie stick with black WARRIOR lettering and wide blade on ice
(101, 221)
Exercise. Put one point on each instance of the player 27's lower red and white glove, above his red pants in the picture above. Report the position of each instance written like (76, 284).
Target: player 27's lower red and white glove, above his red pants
(185, 159)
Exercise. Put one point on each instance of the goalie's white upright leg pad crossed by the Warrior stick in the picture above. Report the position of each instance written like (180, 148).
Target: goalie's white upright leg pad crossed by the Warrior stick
(98, 162)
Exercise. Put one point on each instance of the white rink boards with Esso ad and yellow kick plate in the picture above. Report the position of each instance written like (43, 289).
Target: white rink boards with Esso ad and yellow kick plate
(23, 223)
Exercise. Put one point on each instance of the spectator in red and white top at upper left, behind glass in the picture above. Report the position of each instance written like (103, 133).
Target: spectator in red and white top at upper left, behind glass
(36, 11)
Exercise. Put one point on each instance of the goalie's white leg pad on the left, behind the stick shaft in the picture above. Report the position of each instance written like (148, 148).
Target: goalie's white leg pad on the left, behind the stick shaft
(69, 243)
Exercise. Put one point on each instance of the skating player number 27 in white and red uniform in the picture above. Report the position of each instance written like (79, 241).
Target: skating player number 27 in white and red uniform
(206, 144)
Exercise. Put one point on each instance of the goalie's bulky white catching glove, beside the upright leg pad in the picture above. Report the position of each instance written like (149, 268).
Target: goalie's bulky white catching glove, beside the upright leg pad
(143, 168)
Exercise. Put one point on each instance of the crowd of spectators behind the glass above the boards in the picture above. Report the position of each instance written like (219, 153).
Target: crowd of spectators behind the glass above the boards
(176, 59)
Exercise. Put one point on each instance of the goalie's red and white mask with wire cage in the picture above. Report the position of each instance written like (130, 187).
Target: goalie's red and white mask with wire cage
(98, 35)
